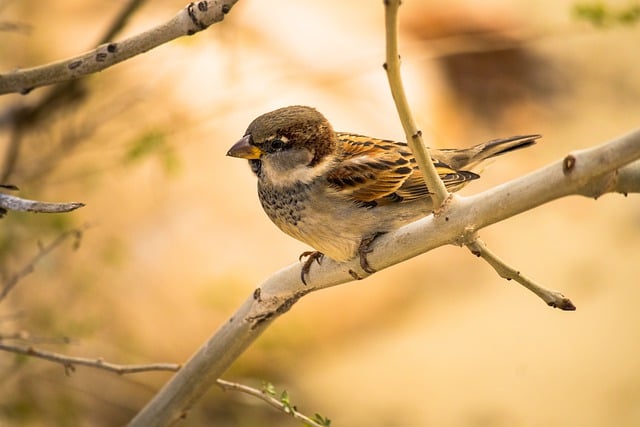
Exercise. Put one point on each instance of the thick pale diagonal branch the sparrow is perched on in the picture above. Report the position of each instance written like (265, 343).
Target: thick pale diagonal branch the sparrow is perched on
(582, 172)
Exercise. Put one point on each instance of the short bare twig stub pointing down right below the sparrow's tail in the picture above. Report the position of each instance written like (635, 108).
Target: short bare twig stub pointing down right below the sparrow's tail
(552, 298)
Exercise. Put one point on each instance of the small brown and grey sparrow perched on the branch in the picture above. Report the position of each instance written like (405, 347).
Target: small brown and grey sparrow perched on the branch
(338, 191)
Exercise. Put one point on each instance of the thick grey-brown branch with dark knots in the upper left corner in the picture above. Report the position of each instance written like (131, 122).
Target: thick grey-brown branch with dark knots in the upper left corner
(196, 17)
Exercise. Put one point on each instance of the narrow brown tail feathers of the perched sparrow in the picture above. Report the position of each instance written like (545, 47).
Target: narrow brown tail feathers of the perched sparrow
(471, 157)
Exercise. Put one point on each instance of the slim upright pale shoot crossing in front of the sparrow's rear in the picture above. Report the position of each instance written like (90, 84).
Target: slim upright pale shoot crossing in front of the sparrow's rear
(433, 182)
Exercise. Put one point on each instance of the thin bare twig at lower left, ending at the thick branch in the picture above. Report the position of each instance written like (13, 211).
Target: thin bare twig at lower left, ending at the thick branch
(69, 362)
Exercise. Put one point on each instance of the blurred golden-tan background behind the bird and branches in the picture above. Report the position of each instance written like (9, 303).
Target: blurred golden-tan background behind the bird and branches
(176, 238)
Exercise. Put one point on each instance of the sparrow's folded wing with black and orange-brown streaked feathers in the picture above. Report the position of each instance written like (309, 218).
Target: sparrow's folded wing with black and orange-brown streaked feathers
(374, 171)
